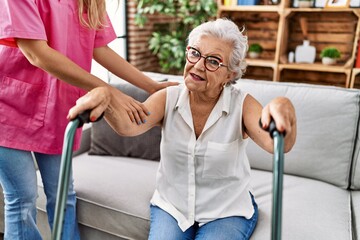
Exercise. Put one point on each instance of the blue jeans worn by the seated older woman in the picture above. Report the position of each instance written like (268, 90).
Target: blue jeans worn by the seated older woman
(164, 227)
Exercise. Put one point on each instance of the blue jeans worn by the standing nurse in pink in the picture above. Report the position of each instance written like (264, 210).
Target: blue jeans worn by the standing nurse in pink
(18, 180)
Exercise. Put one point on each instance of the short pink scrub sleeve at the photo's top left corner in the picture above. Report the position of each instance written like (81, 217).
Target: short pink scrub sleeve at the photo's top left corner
(20, 19)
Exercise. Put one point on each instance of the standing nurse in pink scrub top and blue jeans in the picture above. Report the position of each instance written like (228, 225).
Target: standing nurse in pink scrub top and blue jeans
(46, 49)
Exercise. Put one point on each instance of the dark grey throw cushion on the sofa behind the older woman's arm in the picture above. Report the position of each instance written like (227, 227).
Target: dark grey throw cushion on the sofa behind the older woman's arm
(105, 141)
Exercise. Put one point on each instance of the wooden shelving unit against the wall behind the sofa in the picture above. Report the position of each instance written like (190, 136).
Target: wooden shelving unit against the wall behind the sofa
(277, 29)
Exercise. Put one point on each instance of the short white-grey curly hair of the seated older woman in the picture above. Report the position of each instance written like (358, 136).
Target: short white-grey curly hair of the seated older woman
(226, 30)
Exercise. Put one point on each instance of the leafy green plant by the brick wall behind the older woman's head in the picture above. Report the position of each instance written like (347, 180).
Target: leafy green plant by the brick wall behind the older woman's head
(168, 41)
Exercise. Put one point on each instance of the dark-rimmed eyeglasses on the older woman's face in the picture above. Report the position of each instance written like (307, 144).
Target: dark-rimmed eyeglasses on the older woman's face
(211, 63)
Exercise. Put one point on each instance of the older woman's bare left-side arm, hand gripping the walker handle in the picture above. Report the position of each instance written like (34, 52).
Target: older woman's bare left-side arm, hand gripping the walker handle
(111, 101)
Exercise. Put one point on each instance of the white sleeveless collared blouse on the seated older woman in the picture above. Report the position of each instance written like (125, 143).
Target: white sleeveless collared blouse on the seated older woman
(200, 180)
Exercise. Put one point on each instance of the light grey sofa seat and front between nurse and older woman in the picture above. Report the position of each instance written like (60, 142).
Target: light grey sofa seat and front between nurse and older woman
(113, 194)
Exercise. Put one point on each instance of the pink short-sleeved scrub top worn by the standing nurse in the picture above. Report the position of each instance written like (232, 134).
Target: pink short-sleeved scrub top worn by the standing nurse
(34, 104)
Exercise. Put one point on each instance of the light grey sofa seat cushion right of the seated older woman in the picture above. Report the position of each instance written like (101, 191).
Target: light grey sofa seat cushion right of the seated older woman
(311, 209)
